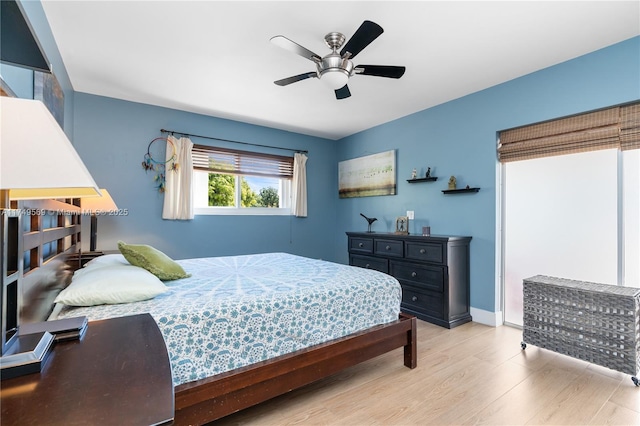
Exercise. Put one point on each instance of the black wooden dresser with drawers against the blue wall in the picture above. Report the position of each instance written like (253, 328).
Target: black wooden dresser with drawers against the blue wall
(433, 271)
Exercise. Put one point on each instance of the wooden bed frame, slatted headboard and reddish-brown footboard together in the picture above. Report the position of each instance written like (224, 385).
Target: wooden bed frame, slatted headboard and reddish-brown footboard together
(211, 398)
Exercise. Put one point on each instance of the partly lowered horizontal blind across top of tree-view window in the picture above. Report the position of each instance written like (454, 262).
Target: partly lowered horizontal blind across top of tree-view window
(229, 161)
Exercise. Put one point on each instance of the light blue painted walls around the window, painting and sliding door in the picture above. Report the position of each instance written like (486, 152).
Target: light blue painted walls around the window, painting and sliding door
(456, 138)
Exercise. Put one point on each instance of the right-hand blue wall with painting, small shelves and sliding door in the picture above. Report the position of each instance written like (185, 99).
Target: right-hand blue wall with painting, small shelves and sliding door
(459, 138)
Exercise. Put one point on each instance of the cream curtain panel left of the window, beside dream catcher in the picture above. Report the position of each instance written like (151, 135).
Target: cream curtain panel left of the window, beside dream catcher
(178, 195)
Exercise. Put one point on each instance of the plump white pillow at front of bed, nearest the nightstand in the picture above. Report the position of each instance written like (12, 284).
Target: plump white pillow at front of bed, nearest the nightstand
(110, 285)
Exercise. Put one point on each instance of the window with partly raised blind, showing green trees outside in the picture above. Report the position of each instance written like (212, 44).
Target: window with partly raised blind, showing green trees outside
(232, 182)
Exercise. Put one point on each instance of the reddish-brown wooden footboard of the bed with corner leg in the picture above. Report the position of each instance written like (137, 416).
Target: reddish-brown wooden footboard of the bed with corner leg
(209, 399)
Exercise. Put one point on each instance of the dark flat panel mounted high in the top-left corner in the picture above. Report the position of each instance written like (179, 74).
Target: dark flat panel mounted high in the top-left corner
(18, 44)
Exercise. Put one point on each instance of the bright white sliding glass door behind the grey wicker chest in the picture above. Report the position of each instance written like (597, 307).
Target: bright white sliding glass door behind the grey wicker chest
(573, 216)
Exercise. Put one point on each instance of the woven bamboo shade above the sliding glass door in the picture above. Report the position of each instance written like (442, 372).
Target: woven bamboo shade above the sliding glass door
(616, 127)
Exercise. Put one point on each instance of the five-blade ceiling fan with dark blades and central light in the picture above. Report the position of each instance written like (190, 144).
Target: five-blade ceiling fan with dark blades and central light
(335, 69)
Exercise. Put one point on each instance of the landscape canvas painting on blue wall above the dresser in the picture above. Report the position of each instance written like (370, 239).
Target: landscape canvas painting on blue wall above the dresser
(368, 176)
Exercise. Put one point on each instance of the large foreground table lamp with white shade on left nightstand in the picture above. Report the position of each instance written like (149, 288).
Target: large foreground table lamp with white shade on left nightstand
(37, 162)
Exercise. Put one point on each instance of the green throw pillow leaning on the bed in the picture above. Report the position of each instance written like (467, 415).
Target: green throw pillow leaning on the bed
(154, 261)
